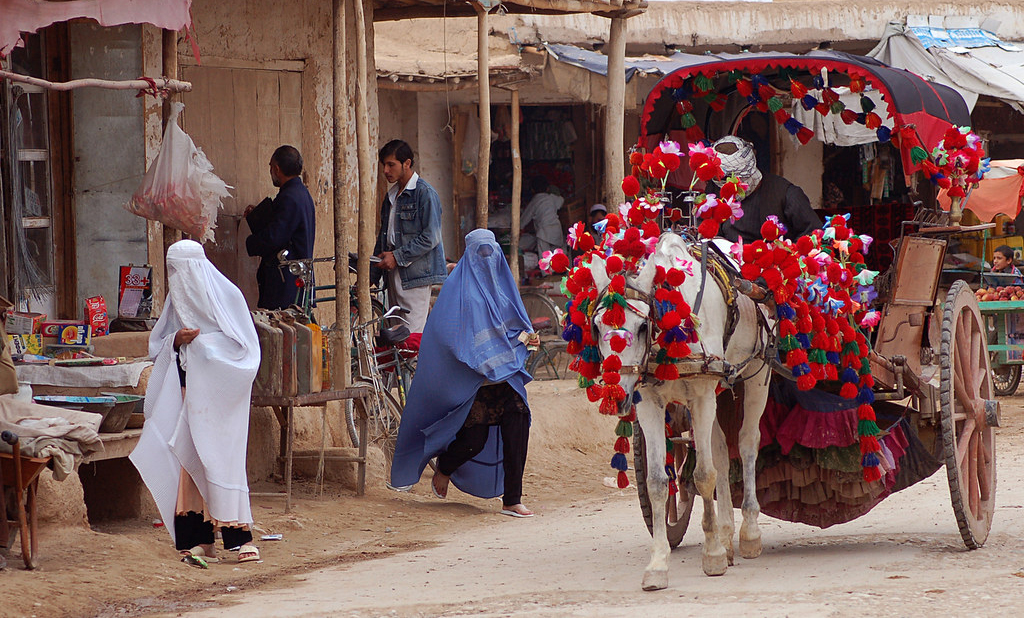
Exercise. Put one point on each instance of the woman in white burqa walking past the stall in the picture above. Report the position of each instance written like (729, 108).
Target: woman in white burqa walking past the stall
(192, 455)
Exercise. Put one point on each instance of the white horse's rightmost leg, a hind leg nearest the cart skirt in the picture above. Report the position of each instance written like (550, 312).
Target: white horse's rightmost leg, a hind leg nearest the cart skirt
(755, 399)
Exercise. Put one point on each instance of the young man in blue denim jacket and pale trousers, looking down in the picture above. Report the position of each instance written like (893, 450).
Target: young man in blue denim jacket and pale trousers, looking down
(410, 241)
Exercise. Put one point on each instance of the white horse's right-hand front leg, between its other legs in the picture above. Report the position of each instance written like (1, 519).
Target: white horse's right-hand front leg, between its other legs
(703, 408)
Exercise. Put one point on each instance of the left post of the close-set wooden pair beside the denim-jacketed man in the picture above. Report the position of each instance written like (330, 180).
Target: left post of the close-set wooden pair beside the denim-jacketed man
(342, 367)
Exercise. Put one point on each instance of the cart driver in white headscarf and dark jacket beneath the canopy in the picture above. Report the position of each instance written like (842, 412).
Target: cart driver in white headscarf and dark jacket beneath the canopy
(767, 195)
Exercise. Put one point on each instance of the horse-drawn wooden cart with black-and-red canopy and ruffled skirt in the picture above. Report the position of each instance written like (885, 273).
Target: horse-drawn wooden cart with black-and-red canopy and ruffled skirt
(930, 358)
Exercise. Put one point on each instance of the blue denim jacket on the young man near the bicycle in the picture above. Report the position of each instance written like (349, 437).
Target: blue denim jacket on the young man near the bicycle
(419, 252)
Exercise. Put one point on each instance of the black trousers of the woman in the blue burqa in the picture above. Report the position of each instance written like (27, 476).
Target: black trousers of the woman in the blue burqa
(471, 442)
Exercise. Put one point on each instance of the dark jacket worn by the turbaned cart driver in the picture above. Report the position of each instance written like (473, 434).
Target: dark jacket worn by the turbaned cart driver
(776, 196)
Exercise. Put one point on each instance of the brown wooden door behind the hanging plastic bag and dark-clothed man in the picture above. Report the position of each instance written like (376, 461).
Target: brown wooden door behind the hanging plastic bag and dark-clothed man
(239, 116)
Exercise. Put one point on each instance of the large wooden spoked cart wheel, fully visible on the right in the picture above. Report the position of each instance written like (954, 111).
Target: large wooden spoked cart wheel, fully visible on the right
(969, 415)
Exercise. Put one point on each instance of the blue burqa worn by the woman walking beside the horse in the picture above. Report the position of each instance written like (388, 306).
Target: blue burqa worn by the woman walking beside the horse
(471, 339)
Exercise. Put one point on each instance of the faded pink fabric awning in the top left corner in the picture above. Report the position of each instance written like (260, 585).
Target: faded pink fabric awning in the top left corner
(19, 17)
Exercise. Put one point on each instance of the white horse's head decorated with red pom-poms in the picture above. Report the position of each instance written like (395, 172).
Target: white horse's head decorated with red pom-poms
(623, 329)
